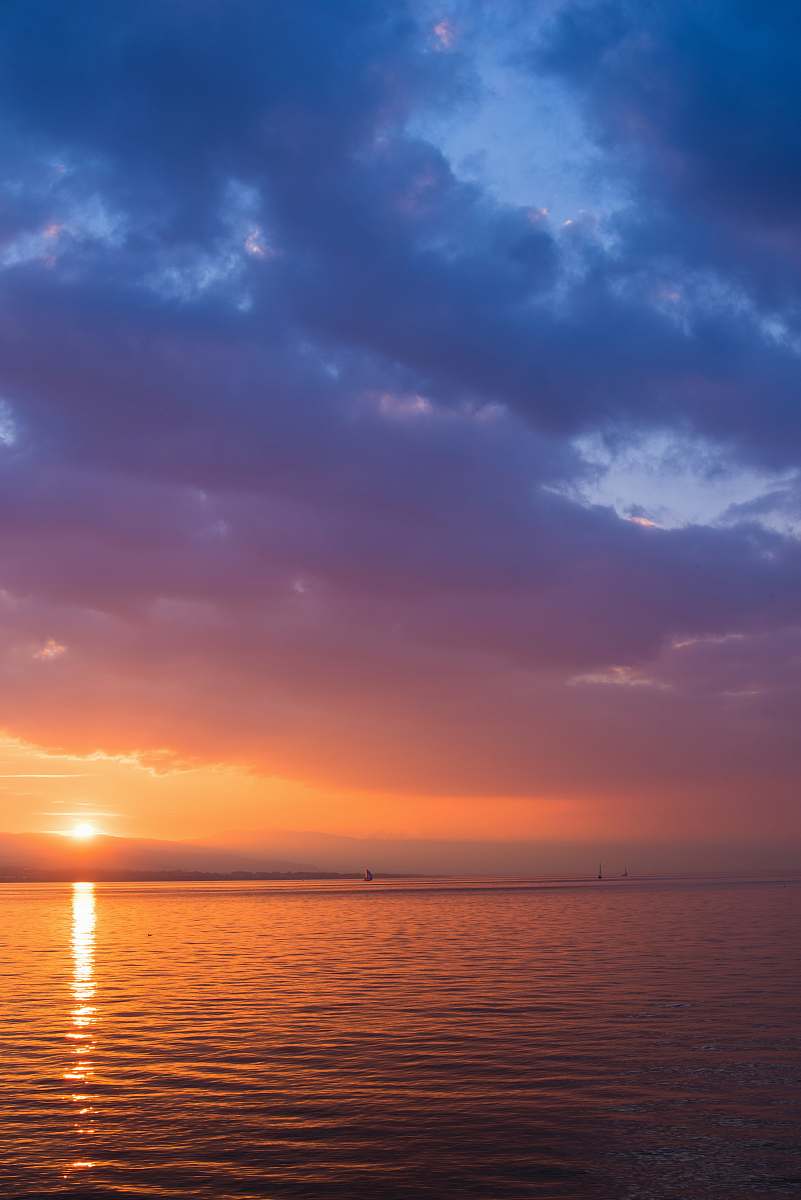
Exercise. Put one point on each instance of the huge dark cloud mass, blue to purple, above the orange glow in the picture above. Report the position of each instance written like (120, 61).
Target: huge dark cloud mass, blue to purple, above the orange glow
(290, 409)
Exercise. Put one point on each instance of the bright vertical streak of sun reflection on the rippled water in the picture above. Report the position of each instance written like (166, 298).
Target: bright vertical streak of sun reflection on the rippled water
(81, 1034)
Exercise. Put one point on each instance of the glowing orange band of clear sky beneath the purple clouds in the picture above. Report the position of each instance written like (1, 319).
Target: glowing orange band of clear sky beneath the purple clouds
(160, 797)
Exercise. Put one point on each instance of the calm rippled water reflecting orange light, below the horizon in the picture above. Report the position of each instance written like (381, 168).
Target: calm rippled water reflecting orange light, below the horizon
(622, 1041)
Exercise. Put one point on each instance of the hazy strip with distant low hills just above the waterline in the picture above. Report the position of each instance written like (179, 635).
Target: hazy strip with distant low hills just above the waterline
(98, 856)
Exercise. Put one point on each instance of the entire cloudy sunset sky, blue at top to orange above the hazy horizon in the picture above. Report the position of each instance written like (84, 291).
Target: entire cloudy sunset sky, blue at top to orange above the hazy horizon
(400, 430)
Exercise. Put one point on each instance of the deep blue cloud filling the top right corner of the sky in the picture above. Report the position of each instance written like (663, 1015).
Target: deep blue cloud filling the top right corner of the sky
(701, 100)
